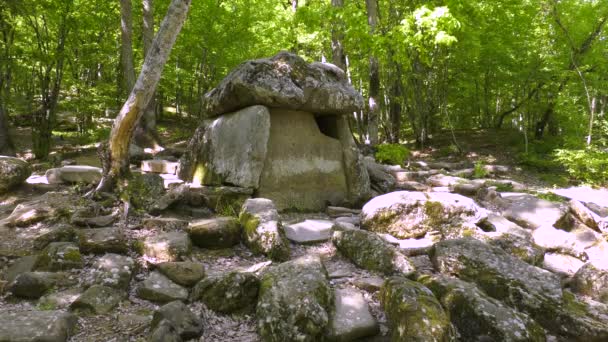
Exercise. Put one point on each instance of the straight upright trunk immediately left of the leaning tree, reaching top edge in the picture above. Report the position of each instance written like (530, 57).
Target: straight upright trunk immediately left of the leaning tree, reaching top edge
(126, 39)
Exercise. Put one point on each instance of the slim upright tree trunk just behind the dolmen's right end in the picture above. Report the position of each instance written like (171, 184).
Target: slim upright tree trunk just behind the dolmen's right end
(374, 77)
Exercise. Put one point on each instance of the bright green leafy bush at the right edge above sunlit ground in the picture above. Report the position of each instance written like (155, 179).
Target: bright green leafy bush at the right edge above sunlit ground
(588, 165)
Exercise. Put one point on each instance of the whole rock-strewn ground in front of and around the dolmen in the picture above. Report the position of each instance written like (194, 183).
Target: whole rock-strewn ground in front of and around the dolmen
(435, 255)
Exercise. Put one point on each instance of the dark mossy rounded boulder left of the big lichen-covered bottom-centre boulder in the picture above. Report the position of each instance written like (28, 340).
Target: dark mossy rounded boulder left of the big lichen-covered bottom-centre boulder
(229, 292)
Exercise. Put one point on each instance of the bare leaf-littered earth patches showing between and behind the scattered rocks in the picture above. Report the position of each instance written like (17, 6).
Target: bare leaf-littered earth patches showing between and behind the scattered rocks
(130, 320)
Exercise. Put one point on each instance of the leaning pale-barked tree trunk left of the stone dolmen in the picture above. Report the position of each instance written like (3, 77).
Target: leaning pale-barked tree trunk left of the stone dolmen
(145, 86)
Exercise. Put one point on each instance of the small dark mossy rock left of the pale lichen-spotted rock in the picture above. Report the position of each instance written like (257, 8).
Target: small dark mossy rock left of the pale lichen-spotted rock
(60, 256)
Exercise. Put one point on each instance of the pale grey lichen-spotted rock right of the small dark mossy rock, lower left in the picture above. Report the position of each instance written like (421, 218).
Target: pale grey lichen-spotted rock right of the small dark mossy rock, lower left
(112, 270)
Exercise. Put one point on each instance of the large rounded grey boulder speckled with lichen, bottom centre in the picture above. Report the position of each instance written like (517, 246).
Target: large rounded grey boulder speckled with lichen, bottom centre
(294, 301)
